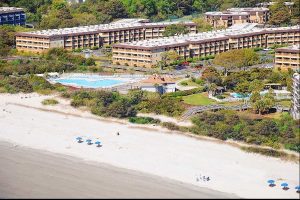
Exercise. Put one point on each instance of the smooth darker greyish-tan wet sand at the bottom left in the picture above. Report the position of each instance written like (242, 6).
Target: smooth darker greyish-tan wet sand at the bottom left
(29, 173)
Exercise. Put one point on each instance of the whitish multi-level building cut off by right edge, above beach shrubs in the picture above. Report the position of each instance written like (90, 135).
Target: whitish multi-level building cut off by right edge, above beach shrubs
(295, 110)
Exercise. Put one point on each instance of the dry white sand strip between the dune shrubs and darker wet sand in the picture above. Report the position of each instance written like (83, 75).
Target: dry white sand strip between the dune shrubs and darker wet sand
(26, 122)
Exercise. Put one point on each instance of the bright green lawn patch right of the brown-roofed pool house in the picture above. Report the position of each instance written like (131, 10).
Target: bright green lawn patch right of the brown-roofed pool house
(198, 99)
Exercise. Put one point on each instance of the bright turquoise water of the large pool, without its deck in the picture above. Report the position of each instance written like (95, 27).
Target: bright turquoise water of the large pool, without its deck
(89, 82)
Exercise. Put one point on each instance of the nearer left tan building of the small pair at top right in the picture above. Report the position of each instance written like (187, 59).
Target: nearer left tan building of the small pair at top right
(226, 19)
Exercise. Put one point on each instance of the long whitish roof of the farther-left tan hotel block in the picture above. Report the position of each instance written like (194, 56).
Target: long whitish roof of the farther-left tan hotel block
(123, 24)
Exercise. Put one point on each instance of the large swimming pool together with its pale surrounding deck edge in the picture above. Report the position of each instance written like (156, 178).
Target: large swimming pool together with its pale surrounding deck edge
(92, 81)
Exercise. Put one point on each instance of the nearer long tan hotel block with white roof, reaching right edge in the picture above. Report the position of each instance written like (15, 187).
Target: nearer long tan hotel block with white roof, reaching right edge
(147, 53)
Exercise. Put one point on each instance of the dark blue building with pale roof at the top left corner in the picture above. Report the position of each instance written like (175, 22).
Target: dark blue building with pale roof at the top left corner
(12, 16)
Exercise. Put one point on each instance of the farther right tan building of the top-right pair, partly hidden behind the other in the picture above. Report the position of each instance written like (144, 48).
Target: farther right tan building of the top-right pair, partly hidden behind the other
(257, 15)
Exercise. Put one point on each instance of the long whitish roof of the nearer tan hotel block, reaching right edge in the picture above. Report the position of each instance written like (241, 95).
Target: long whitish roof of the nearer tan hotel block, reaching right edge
(231, 32)
